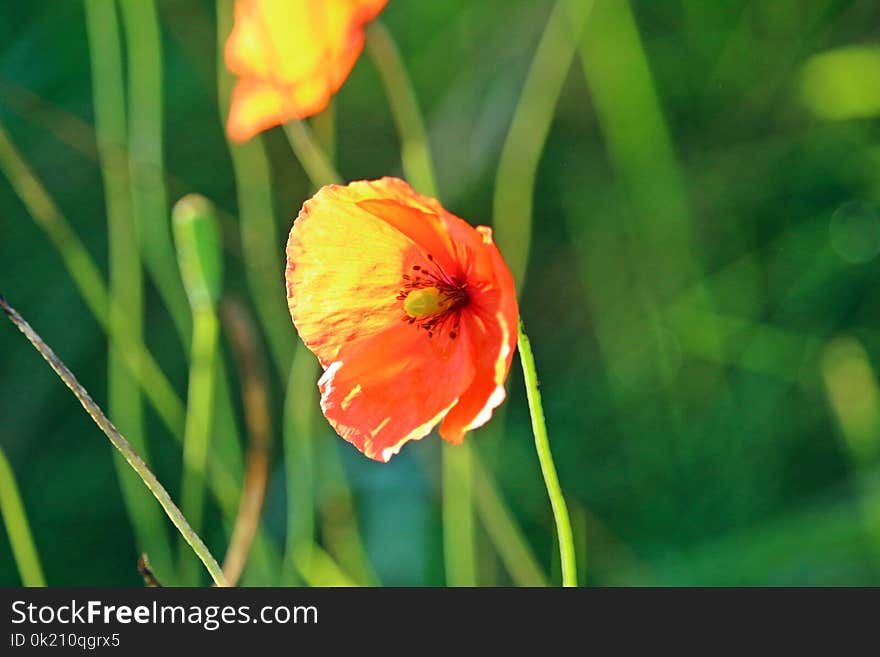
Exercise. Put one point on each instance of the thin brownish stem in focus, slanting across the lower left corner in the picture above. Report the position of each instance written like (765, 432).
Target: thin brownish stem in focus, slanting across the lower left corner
(120, 443)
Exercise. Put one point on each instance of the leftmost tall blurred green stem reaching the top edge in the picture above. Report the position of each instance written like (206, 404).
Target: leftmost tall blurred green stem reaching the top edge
(126, 278)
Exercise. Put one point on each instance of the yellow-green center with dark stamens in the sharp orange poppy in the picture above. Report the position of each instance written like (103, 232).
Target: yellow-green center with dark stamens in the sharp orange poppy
(432, 300)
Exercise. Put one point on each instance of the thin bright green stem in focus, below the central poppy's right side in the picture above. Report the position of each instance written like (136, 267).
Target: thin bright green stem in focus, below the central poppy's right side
(548, 469)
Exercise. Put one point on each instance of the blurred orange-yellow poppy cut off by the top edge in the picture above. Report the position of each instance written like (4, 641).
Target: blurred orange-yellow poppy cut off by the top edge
(291, 56)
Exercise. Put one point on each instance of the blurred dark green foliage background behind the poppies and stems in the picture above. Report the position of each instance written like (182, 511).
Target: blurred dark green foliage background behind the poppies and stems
(701, 291)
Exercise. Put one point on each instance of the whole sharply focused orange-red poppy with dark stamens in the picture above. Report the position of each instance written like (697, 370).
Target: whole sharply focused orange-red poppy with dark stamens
(411, 311)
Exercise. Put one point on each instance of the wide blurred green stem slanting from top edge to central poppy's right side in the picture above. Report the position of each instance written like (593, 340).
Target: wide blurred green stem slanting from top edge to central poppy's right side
(518, 165)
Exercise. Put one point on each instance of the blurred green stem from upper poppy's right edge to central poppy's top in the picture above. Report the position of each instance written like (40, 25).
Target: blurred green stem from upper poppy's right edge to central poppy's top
(415, 148)
